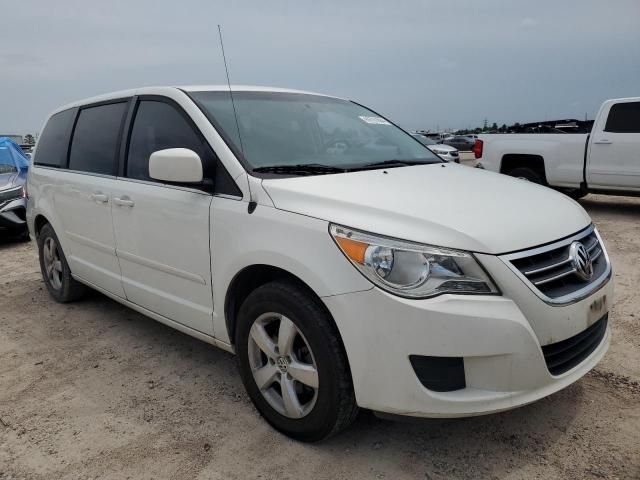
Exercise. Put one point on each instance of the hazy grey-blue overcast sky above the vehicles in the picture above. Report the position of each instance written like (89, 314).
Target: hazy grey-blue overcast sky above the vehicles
(424, 64)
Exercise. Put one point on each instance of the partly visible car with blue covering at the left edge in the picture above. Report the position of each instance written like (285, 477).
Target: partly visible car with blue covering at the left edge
(14, 167)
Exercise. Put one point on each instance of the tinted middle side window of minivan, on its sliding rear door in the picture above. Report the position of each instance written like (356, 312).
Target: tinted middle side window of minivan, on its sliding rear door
(95, 141)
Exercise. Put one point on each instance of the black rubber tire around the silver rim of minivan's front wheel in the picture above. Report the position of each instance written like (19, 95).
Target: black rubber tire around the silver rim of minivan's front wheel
(334, 407)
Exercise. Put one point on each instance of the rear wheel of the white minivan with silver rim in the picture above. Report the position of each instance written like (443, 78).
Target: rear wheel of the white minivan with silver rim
(55, 269)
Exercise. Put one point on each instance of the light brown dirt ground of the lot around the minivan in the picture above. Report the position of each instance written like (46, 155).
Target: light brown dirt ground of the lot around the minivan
(94, 390)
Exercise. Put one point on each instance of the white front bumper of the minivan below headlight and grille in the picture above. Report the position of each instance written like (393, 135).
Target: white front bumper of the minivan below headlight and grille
(504, 365)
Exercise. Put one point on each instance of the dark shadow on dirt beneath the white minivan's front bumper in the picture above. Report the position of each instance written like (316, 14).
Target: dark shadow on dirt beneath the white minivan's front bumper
(475, 447)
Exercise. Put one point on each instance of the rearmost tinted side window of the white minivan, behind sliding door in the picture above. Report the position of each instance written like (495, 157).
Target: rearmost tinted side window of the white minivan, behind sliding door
(54, 141)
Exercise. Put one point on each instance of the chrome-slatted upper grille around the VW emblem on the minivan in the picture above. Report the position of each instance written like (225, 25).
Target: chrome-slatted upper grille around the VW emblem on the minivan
(554, 273)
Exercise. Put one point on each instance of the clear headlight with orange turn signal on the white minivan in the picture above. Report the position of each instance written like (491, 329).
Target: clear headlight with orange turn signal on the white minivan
(411, 269)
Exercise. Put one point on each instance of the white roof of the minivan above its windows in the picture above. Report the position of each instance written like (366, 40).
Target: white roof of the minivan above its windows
(188, 88)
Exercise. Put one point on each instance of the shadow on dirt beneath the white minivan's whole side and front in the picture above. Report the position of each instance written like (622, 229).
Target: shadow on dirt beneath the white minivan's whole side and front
(471, 447)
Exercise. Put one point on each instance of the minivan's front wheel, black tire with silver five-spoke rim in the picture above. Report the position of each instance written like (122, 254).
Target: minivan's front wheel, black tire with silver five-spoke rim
(292, 362)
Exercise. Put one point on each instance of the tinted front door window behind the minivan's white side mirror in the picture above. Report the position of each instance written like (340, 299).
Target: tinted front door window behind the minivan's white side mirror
(158, 126)
